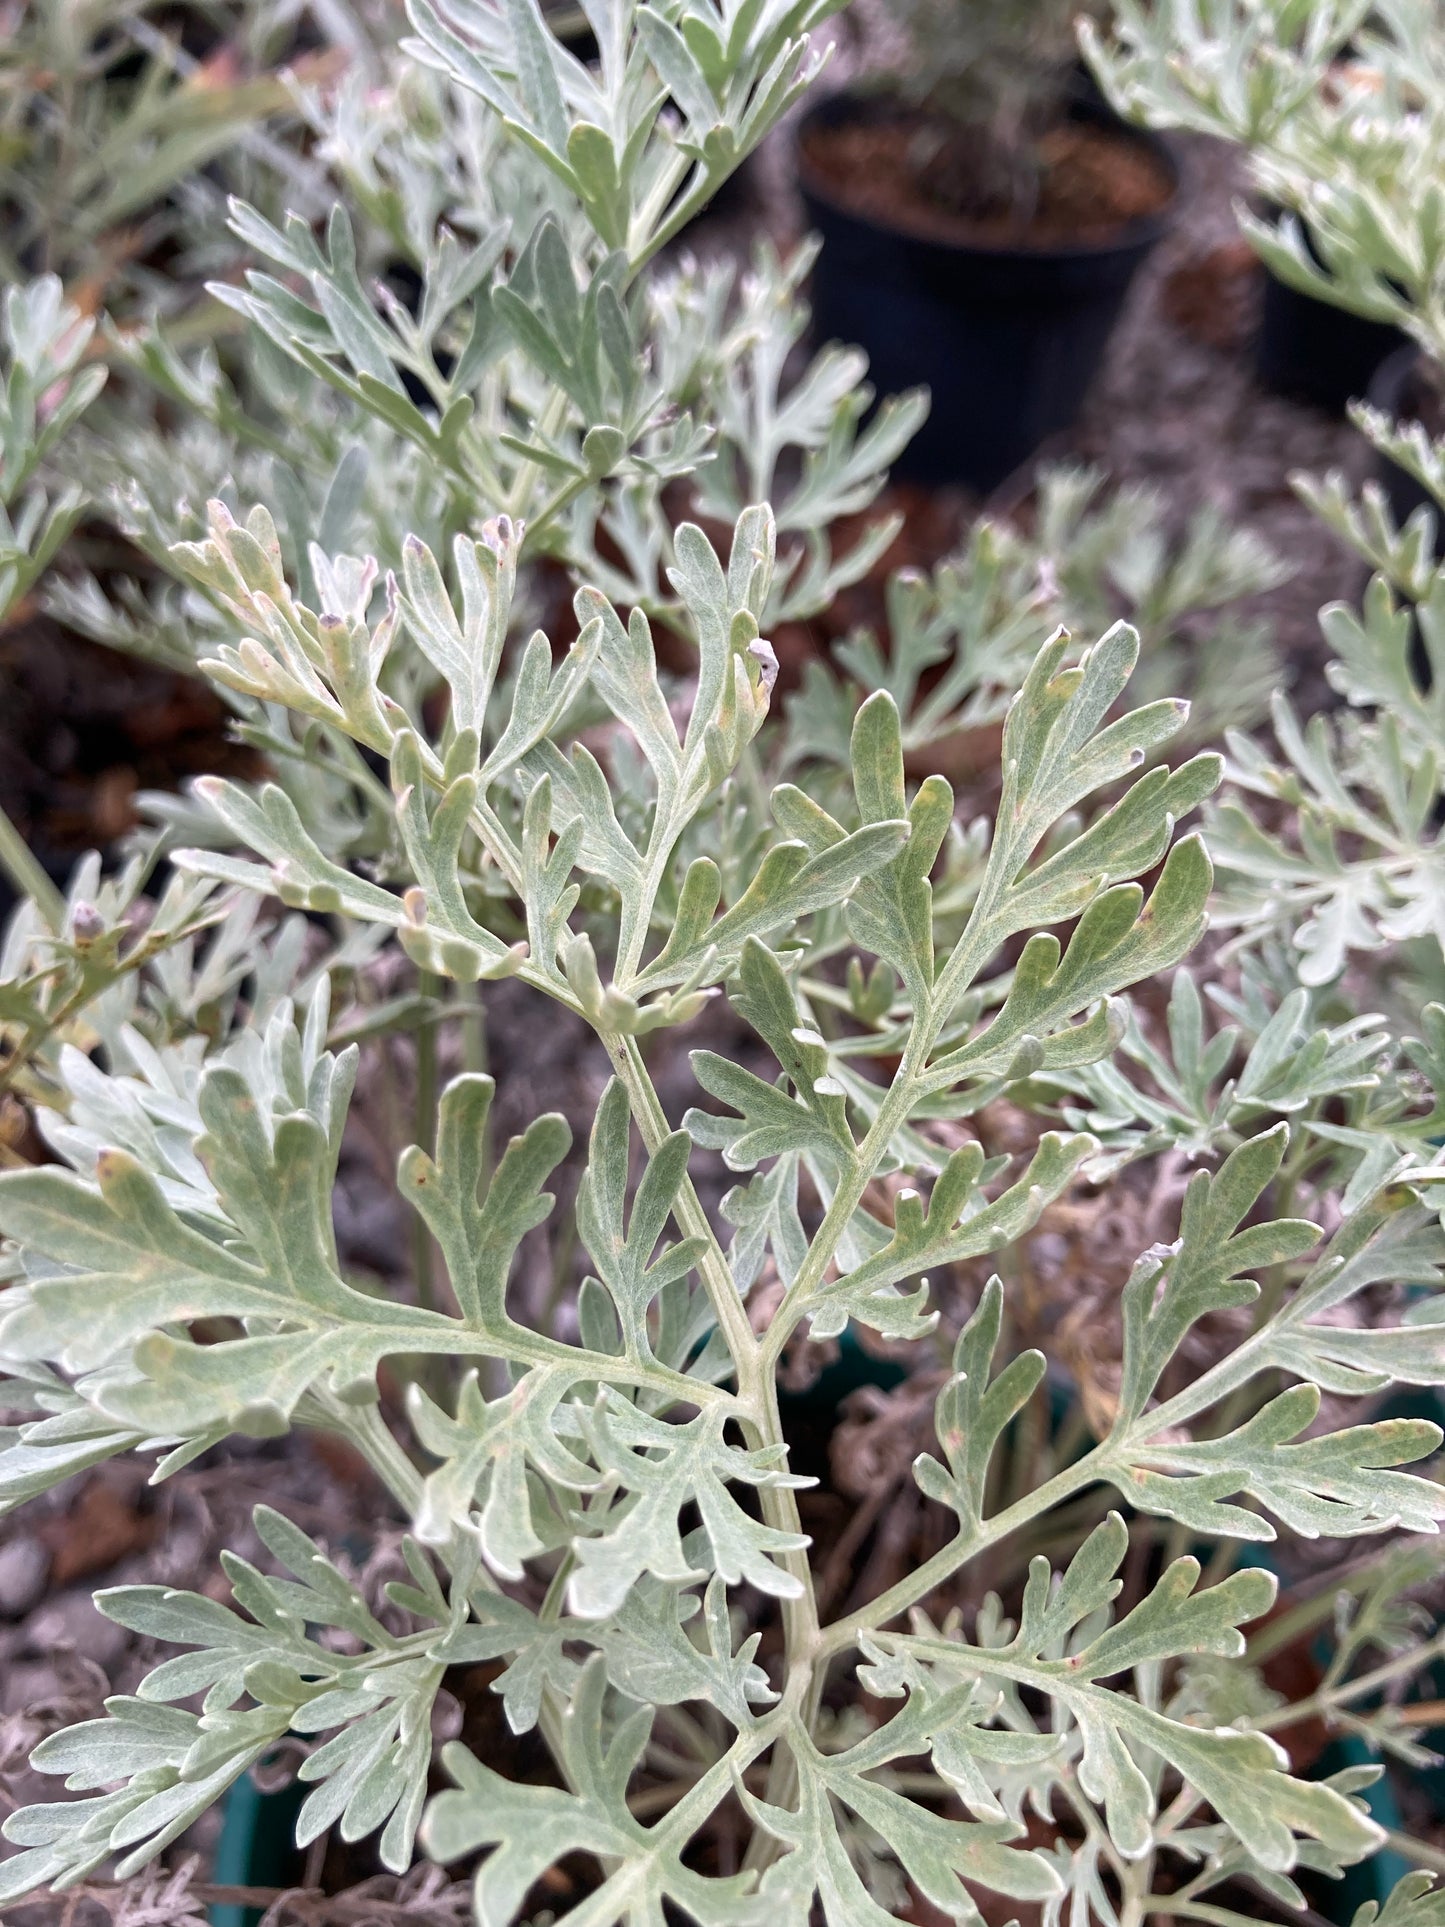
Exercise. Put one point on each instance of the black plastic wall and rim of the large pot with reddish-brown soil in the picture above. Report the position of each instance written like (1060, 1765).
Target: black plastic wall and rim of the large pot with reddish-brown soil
(1007, 338)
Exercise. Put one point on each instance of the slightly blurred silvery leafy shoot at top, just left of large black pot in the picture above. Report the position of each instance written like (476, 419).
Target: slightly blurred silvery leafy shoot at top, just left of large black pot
(542, 377)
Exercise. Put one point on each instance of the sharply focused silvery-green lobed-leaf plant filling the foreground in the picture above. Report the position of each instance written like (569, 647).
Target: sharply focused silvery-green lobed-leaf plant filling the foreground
(627, 1450)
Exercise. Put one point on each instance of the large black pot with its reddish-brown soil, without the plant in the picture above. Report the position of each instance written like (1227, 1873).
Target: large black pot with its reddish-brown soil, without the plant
(1003, 313)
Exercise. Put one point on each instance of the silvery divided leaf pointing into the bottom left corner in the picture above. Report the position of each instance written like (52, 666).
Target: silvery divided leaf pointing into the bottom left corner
(174, 1760)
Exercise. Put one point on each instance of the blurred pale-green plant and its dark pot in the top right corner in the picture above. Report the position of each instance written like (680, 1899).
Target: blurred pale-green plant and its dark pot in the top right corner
(1342, 113)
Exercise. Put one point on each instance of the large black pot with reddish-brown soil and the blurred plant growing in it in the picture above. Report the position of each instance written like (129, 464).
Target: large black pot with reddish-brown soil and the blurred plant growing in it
(982, 217)
